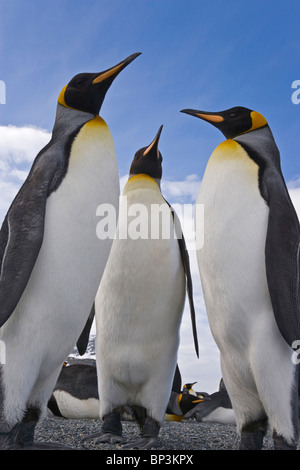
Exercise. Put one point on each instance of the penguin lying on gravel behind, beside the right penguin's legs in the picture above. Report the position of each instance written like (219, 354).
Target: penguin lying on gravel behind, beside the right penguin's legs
(218, 409)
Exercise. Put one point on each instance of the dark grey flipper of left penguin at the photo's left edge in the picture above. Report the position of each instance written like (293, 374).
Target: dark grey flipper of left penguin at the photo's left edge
(21, 236)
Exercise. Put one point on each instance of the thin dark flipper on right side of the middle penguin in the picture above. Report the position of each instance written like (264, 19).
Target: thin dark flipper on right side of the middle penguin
(186, 265)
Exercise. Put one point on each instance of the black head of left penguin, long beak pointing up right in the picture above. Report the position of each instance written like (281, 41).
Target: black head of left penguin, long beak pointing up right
(86, 91)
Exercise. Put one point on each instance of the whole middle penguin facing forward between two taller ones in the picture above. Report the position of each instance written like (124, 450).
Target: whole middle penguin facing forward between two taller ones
(139, 306)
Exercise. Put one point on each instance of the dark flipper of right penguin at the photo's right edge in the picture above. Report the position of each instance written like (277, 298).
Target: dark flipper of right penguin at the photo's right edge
(282, 257)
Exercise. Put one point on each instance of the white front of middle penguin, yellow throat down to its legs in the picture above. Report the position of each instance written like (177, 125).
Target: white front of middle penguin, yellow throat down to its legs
(145, 315)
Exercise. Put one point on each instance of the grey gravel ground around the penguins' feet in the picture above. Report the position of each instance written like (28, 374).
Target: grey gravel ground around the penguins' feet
(185, 435)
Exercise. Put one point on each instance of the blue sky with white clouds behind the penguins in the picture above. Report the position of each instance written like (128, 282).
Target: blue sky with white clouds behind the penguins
(208, 55)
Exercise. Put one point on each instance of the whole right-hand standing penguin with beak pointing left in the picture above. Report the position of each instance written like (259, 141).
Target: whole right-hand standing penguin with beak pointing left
(249, 267)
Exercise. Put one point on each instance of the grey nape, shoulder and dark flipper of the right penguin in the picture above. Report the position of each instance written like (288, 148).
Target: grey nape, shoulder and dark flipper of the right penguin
(283, 234)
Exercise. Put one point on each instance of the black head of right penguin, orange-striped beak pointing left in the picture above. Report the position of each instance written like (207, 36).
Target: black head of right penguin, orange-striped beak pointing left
(232, 122)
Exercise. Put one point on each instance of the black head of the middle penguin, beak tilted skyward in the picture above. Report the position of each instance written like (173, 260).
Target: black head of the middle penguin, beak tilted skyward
(148, 160)
